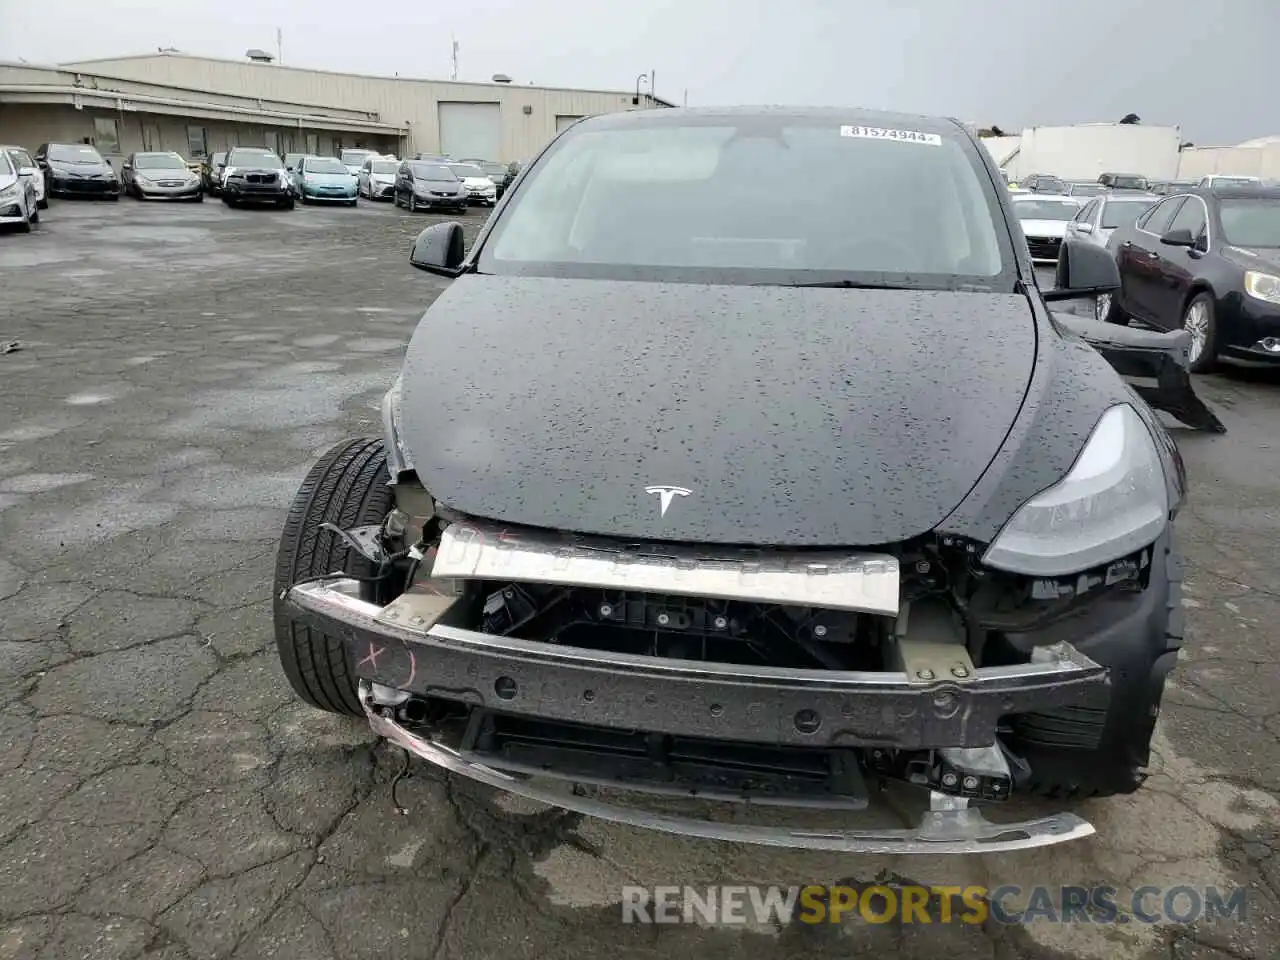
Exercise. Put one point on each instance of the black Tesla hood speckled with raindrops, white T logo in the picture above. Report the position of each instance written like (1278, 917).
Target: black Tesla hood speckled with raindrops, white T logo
(790, 417)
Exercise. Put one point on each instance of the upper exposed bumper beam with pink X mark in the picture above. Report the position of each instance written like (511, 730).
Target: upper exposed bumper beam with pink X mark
(769, 706)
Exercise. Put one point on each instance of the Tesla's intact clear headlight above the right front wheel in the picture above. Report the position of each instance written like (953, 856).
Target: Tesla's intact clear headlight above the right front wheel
(1113, 502)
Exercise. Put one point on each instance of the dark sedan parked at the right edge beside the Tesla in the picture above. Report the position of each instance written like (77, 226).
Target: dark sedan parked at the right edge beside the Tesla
(1208, 262)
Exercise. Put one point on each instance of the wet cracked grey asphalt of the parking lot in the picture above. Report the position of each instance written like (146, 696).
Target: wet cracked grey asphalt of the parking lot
(163, 796)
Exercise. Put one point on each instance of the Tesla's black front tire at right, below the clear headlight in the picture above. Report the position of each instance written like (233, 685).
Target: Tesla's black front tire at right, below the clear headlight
(1113, 742)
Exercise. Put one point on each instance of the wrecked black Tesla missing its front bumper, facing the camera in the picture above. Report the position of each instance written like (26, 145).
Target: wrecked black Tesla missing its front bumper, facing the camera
(788, 497)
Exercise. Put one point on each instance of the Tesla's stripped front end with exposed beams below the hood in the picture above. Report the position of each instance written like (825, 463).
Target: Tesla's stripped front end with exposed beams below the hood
(600, 675)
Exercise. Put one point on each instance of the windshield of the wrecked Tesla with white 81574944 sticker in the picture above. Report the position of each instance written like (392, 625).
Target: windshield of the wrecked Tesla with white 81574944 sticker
(715, 200)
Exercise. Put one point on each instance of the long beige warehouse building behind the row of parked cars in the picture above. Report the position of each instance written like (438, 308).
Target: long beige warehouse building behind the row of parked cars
(200, 106)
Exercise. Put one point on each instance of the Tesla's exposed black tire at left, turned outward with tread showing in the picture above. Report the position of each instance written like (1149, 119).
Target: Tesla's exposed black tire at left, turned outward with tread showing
(348, 488)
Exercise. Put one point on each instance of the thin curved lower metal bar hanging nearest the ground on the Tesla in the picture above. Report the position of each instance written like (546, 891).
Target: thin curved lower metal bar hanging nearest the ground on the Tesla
(949, 828)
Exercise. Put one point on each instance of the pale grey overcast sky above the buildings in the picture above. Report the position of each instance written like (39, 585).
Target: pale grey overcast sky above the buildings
(1206, 67)
